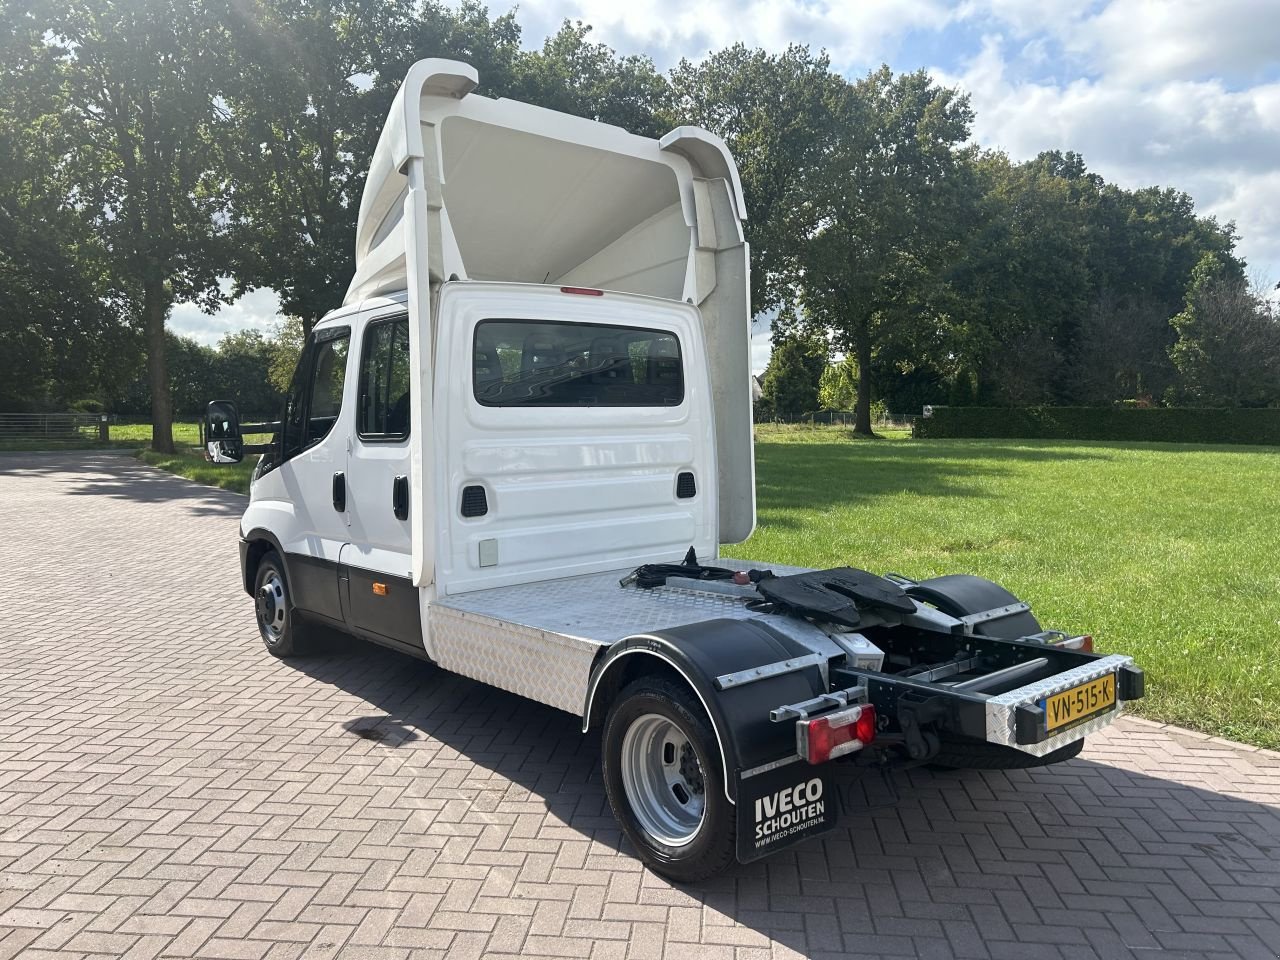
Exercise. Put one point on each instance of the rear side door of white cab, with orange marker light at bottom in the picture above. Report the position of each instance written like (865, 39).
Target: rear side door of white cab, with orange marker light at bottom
(382, 601)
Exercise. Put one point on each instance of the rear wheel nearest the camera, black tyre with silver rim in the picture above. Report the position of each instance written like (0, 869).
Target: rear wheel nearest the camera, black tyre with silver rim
(665, 780)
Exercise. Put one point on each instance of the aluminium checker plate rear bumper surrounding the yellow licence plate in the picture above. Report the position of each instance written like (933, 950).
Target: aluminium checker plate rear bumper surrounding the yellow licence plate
(1017, 719)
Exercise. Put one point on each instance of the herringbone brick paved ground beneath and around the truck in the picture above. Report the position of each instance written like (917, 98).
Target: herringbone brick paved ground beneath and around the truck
(167, 789)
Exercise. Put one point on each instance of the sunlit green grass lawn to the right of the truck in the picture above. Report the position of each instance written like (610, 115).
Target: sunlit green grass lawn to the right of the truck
(1169, 554)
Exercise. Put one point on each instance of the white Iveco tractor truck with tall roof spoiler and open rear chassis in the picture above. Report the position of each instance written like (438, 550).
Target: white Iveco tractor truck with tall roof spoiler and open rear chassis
(519, 446)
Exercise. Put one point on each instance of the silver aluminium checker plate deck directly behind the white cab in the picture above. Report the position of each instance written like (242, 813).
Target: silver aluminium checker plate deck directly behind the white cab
(541, 641)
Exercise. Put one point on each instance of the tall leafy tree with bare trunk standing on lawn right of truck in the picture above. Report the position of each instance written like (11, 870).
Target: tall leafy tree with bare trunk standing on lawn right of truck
(884, 213)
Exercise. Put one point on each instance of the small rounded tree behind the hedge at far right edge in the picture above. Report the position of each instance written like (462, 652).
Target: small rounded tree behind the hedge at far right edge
(1228, 350)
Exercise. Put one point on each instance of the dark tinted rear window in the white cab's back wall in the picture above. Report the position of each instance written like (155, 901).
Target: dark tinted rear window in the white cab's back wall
(561, 364)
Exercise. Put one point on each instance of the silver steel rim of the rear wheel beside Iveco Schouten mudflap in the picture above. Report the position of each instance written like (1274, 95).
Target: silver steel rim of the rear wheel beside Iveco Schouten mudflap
(664, 780)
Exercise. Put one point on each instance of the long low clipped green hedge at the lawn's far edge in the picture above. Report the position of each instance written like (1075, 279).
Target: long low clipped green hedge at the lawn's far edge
(1163, 424)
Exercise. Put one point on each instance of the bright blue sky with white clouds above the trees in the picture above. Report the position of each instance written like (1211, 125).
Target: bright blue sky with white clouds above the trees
(1173, 93)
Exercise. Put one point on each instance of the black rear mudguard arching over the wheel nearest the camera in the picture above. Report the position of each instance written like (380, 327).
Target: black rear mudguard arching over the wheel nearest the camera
(739, 715)
